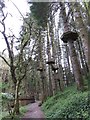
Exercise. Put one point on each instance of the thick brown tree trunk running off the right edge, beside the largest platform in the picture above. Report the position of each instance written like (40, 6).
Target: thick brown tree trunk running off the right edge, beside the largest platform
(83, 30)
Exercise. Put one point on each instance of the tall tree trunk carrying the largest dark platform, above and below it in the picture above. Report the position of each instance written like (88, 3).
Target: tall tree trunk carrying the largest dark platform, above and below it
(74, 60)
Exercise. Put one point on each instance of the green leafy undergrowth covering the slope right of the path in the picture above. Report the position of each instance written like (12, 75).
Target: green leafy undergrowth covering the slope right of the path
(68, 104)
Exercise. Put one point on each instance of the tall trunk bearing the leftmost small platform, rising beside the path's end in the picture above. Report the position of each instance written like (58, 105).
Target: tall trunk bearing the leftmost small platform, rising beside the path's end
(42, 66)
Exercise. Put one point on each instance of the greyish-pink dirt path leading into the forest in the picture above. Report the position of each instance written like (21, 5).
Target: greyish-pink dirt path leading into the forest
(34, 111)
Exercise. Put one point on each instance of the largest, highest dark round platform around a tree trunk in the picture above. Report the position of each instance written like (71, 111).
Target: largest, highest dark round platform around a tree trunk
(69, 36)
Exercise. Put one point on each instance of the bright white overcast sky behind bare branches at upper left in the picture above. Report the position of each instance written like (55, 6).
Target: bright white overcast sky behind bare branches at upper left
(14, 21)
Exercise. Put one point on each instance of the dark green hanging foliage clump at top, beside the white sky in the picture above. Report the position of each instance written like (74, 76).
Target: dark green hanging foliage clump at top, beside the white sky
(40, 11)
